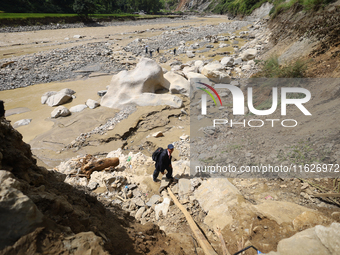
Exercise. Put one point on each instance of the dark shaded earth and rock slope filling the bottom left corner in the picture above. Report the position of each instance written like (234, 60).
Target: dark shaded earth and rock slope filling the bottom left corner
(45, 215)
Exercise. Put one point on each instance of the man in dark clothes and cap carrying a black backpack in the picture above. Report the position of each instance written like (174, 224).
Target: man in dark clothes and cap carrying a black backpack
(164, 163)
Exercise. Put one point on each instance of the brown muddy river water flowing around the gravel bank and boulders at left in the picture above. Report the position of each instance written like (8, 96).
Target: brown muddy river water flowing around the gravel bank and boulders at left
(25, 103)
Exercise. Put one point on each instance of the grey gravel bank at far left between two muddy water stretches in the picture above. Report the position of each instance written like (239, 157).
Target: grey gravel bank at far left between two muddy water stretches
(56, 65)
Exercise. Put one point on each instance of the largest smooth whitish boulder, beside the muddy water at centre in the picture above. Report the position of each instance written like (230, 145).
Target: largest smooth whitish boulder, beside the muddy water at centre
(138, 87)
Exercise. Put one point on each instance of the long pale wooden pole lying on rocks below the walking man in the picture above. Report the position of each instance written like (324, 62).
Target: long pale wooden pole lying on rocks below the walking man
(205, 245)
